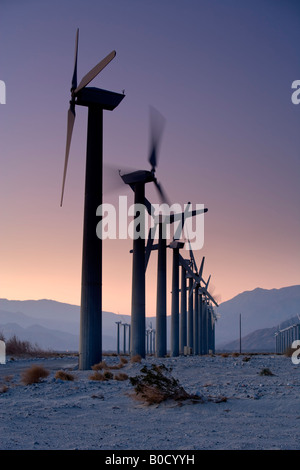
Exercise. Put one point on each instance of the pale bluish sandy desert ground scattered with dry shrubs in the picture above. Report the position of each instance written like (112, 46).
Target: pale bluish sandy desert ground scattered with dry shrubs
(260, 412)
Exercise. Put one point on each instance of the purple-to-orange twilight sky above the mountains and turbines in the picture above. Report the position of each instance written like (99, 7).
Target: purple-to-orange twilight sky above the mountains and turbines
(219, 71)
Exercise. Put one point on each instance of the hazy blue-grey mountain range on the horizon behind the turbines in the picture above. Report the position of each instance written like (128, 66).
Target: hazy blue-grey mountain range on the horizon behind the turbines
(55, 325)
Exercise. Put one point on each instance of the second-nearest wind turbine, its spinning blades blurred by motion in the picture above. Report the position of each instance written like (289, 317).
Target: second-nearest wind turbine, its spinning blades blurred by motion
(137, 180)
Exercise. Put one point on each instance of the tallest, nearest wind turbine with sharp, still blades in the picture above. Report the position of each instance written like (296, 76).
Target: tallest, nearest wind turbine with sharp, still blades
(96, 100)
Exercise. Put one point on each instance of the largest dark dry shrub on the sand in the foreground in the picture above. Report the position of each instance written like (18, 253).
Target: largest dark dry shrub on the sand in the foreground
(156, 385)
